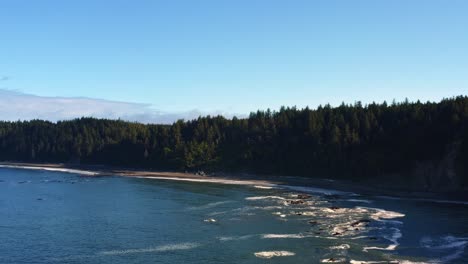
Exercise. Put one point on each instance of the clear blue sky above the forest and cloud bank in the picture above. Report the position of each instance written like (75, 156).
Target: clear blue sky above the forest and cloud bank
(233, 56)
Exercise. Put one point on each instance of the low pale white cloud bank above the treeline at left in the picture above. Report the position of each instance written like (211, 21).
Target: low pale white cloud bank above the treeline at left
(21, 106)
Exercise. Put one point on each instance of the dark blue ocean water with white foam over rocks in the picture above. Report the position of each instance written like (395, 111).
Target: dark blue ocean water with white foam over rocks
(58, 217)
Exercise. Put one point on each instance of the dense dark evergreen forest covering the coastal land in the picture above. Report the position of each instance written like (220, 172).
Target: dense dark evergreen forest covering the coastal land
(345, 141)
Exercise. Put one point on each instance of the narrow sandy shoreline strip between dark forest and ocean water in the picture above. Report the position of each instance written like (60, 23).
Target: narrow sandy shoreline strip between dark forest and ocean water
(300, 184)
